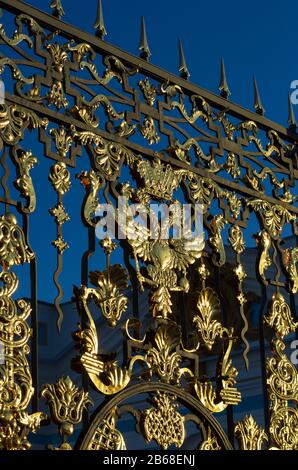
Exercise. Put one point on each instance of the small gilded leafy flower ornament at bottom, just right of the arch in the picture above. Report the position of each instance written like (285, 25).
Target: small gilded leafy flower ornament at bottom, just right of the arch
(250, 436)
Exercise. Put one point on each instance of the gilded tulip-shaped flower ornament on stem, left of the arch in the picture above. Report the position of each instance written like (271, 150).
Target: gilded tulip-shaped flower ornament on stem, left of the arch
(66, 403)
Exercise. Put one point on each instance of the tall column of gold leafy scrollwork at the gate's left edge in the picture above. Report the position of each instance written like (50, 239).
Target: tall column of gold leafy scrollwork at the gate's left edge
(16, 388)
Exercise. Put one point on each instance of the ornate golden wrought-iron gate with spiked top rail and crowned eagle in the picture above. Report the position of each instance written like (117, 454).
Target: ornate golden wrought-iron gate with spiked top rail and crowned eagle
(140, 132)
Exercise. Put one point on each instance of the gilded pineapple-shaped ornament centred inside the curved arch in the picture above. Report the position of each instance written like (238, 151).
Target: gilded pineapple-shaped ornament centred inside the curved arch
(163, 423)
